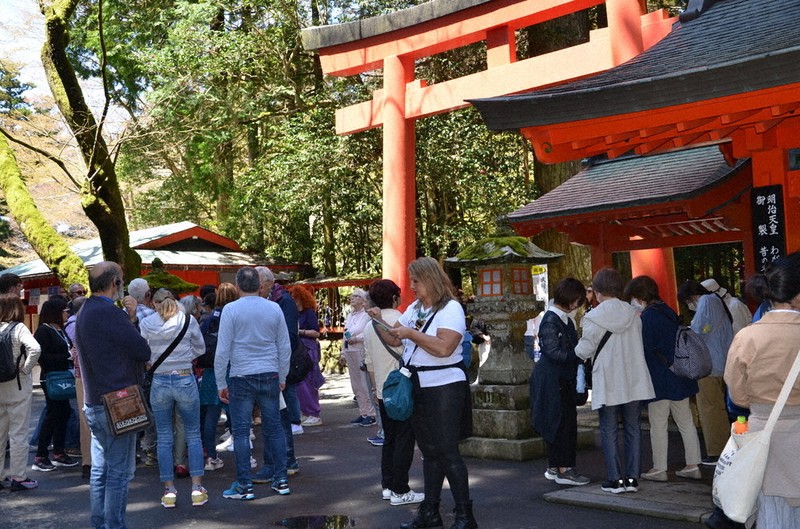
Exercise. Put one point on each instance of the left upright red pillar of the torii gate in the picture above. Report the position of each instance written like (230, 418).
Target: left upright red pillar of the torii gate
(399, 174)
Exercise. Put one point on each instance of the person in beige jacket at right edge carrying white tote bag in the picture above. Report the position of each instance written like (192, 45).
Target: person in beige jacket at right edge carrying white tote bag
(759, 360)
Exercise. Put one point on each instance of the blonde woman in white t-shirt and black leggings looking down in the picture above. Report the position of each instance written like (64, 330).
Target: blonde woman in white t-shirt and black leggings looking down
(431, 330)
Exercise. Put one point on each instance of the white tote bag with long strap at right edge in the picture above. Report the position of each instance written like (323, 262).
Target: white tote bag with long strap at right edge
(740, 469)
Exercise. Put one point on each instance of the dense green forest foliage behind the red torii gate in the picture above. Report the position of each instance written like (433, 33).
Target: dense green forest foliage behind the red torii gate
(236, 133)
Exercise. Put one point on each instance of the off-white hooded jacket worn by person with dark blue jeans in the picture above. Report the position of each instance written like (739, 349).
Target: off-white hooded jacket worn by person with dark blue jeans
(620, 373)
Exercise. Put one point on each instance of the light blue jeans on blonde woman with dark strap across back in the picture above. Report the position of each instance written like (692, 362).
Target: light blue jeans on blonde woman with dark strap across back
(171, 391)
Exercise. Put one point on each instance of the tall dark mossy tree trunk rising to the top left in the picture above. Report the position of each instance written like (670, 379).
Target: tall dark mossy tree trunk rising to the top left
(100, 195)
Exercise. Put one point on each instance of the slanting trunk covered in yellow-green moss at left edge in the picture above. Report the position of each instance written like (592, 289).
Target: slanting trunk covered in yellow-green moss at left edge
(52, 249)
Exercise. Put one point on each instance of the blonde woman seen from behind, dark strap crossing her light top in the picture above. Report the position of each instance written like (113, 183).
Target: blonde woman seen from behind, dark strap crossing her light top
(174, 387)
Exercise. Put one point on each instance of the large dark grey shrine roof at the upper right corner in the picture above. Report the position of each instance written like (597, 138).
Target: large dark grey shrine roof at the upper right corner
(737, 46)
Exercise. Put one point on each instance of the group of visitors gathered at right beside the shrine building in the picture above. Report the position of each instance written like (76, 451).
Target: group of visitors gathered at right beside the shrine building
(629, 337)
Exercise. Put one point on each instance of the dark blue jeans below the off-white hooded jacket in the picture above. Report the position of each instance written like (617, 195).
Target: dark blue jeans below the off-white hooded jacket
(632, 434)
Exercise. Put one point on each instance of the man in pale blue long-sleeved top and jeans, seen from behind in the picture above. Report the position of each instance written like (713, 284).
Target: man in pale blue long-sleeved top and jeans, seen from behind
(254, 341)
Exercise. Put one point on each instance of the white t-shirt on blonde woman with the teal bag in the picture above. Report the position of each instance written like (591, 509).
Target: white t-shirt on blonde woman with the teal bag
(450, 317)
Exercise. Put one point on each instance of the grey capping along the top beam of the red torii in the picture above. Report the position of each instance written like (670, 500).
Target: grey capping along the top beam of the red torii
(325, 36)
